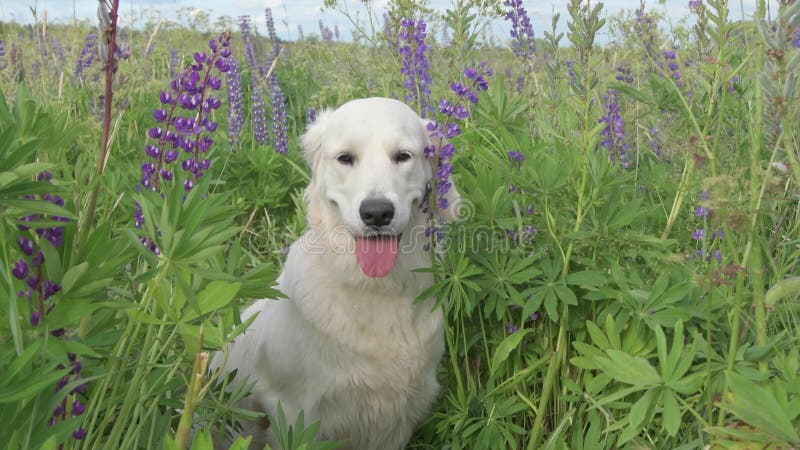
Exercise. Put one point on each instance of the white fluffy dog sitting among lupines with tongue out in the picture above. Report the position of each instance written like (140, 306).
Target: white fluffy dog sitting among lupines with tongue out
(349, 346)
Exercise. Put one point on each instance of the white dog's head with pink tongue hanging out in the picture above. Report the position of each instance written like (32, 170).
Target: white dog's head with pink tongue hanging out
(369, 176)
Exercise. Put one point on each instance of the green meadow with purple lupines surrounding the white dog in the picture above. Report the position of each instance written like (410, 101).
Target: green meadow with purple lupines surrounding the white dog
(625, 272)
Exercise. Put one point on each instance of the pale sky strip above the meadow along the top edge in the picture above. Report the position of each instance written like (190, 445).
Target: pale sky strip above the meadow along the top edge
(289, 14)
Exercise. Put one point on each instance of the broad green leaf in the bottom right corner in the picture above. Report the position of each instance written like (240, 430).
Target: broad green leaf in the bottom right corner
(758, 407)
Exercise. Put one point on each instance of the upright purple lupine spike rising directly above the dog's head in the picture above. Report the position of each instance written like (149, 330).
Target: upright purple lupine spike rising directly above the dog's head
(412, 48)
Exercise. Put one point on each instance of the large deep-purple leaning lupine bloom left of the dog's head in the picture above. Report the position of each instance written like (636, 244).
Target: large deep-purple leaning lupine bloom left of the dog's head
(192, 91)
